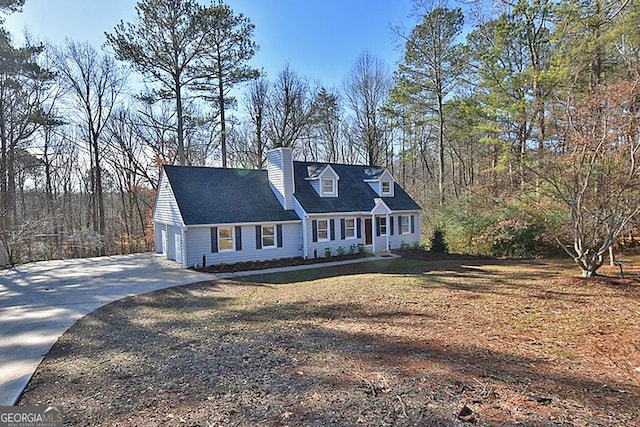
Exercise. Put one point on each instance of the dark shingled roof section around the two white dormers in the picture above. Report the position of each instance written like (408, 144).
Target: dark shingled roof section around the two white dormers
(354, 194)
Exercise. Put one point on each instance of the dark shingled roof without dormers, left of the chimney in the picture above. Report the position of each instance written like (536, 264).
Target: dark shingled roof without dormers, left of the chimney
(223, 196)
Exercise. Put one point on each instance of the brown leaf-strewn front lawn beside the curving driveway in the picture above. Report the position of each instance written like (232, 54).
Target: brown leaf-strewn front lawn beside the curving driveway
(393, 342)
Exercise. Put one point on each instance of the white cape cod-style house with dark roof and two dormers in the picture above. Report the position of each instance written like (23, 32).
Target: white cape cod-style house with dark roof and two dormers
(221, 215)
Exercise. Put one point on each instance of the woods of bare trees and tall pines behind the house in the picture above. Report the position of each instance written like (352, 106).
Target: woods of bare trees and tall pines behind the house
(515, 124)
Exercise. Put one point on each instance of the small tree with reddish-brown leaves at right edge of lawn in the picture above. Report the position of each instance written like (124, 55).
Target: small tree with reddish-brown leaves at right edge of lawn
(597, 175)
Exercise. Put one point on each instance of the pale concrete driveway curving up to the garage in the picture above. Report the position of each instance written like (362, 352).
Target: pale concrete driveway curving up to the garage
(40, 301)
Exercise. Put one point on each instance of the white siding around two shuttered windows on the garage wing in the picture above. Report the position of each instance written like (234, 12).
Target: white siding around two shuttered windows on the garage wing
(199, 245)
